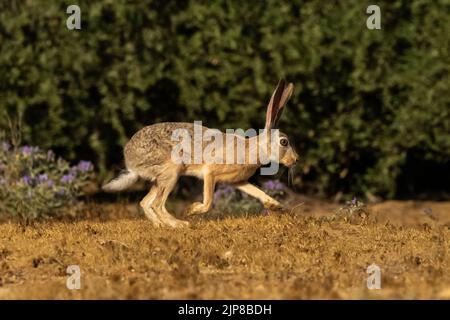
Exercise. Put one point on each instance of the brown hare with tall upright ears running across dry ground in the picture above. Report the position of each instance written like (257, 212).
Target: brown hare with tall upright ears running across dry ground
(148, 155)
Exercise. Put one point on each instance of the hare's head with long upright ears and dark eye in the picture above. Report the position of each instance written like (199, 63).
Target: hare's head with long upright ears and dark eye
(285, 152)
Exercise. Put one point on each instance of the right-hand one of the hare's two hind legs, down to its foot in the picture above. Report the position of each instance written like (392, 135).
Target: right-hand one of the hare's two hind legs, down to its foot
(164, 186)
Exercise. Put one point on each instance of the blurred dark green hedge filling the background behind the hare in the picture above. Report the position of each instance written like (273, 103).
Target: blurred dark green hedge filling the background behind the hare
(370, 114)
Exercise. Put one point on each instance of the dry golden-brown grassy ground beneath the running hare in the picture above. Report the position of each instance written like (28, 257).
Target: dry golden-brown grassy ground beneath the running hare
(296, 255)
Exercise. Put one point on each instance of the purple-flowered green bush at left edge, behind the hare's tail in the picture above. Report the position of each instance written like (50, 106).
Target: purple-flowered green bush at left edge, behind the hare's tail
(34, 183)
